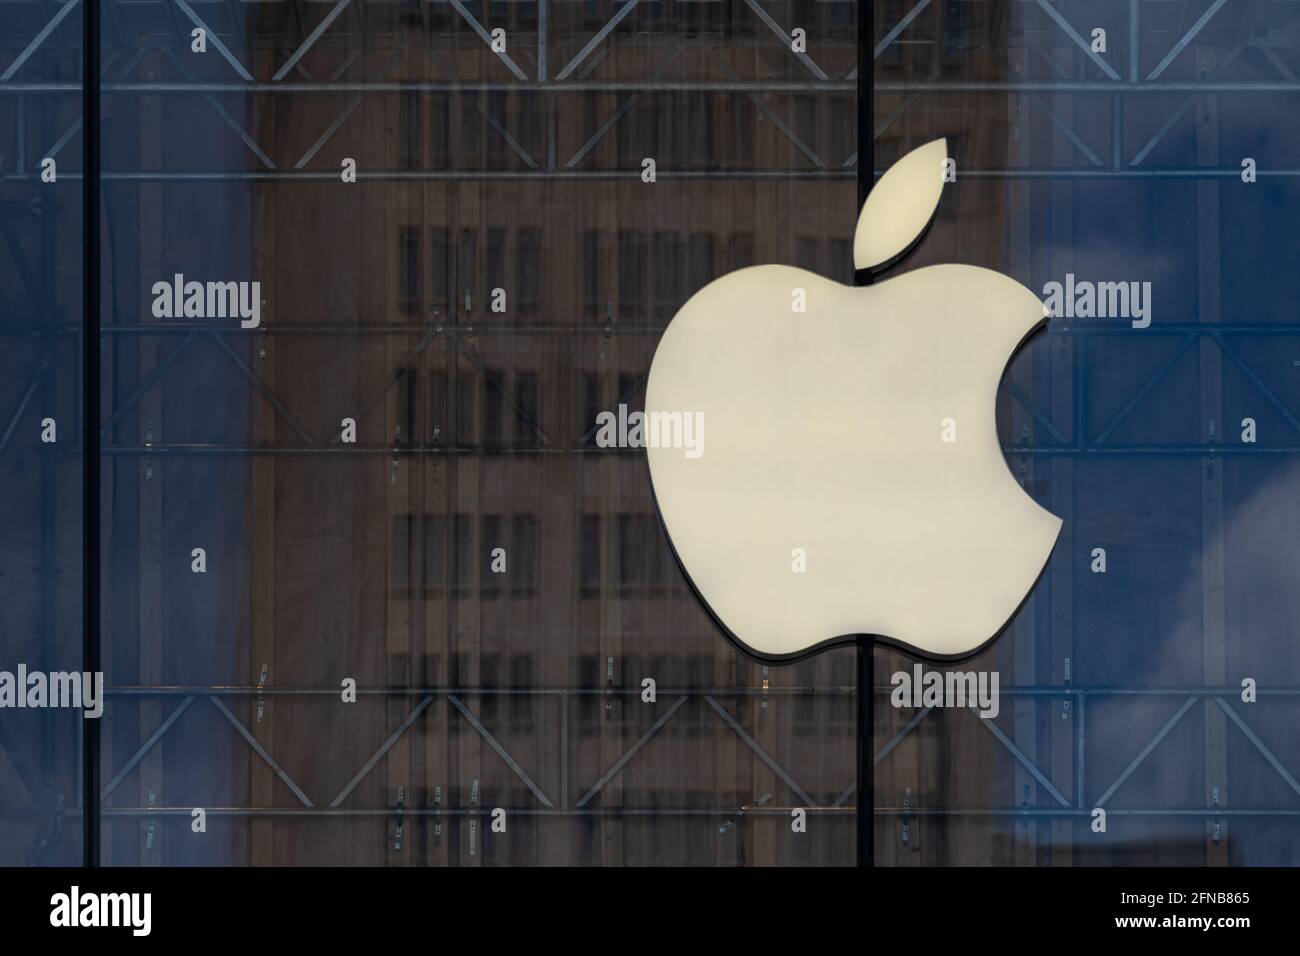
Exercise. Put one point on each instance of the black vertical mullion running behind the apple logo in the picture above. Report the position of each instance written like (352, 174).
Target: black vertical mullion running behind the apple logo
(866, 646)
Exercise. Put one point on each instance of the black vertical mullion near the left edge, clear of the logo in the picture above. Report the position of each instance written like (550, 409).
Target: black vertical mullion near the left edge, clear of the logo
(90, 419)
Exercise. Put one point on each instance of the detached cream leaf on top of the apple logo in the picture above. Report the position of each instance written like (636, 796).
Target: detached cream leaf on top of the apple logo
(900, 209)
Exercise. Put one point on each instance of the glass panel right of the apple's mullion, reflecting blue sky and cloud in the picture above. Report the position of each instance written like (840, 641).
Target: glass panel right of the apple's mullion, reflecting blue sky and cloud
(1107, 144)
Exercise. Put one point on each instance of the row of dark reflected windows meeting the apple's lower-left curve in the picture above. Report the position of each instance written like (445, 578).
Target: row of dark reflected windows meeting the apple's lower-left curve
(491, 556)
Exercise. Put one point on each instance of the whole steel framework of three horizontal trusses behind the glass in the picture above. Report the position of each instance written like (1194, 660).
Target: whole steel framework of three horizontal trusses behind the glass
(344, 27)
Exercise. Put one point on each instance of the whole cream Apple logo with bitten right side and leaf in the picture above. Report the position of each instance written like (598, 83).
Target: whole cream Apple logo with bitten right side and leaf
(853, 483)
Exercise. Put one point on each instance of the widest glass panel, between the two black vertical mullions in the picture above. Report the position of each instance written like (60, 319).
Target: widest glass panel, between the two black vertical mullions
(445, 263)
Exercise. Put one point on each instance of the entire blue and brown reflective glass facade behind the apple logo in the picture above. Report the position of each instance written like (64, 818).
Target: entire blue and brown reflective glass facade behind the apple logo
(436, 240)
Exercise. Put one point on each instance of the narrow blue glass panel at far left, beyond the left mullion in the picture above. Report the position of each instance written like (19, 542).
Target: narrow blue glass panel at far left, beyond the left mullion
(42, 405)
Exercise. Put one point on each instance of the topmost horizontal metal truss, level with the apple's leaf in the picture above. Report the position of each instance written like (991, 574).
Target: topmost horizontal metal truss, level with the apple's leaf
(346, 28)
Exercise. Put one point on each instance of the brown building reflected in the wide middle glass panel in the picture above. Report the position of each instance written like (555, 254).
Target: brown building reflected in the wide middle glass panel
(504, 408)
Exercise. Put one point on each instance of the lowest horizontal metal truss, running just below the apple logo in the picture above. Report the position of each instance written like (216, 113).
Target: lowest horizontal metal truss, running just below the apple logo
(1082, 806)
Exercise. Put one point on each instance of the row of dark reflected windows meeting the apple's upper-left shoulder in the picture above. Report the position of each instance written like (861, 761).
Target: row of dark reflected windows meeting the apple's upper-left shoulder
(652, 274)
